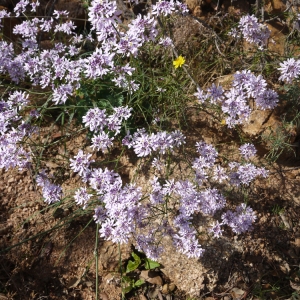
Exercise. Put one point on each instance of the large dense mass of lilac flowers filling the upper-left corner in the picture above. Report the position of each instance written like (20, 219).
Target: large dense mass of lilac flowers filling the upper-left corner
(56, 68)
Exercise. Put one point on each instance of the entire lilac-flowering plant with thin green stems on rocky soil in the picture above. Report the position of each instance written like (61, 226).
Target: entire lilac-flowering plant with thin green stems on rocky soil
(119, 105)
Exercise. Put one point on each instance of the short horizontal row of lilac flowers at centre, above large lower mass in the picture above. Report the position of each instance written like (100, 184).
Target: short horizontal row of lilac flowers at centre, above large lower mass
(144, 144)
